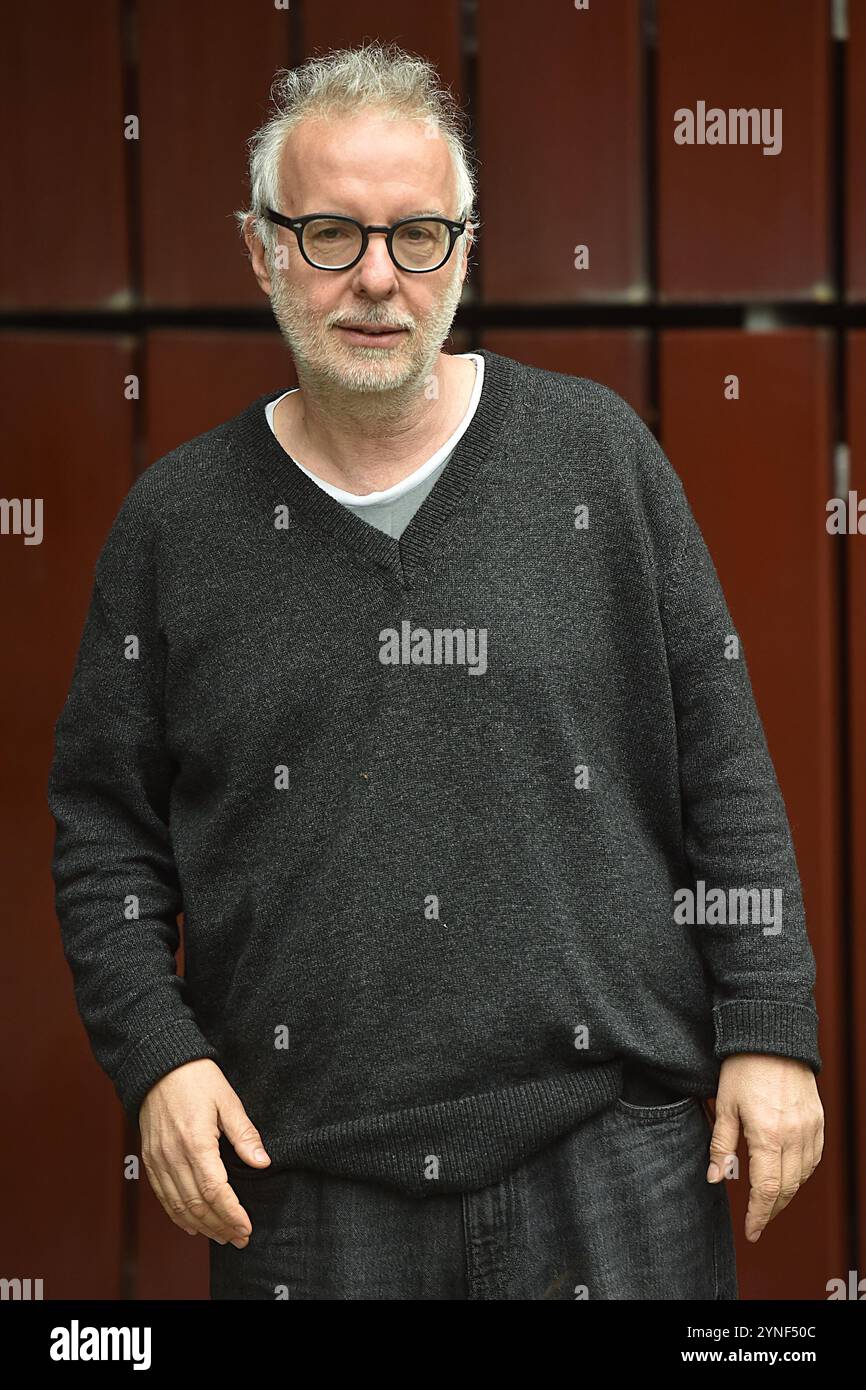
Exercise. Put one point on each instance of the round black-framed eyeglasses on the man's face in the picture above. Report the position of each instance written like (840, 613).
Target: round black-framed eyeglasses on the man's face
(329, 241)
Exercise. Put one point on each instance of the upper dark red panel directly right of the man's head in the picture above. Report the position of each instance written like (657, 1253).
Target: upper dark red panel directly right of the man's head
(561, 117)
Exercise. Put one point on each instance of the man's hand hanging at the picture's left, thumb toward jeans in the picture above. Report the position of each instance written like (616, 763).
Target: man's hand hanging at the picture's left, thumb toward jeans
(181, 1120)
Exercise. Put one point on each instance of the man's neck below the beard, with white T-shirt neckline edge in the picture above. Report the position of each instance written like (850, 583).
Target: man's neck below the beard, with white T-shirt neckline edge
(368, 441)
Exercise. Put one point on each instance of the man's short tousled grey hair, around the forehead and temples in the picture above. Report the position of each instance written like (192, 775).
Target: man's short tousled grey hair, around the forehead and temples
(375, 76)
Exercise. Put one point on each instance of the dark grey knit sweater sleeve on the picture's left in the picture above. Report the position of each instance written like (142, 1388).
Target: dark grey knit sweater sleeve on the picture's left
(116, 886)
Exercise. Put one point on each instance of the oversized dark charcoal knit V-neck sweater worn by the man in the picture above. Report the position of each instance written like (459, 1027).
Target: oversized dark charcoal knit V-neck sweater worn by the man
(429, 806)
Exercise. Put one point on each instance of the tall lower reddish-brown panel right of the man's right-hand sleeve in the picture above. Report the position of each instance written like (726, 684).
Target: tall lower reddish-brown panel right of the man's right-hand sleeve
(758, 475)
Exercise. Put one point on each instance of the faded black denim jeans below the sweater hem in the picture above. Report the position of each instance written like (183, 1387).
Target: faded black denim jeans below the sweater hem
(616, 1209)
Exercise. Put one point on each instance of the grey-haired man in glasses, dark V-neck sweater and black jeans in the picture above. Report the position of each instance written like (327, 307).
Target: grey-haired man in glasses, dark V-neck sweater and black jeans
(414, 689)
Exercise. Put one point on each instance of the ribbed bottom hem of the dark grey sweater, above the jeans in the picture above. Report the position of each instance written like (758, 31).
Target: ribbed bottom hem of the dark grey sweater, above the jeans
(452, 1146)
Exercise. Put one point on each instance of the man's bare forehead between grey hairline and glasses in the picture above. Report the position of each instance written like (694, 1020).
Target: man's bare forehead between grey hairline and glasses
(368, 161)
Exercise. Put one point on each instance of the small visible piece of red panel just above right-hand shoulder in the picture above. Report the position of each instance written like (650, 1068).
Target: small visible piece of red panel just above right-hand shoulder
(616, 358)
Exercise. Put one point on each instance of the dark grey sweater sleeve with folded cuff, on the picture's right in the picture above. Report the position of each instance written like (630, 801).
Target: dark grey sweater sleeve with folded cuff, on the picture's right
(736, 831)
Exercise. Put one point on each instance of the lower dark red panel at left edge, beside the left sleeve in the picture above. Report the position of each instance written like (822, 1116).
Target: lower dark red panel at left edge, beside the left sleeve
(69, 443)
